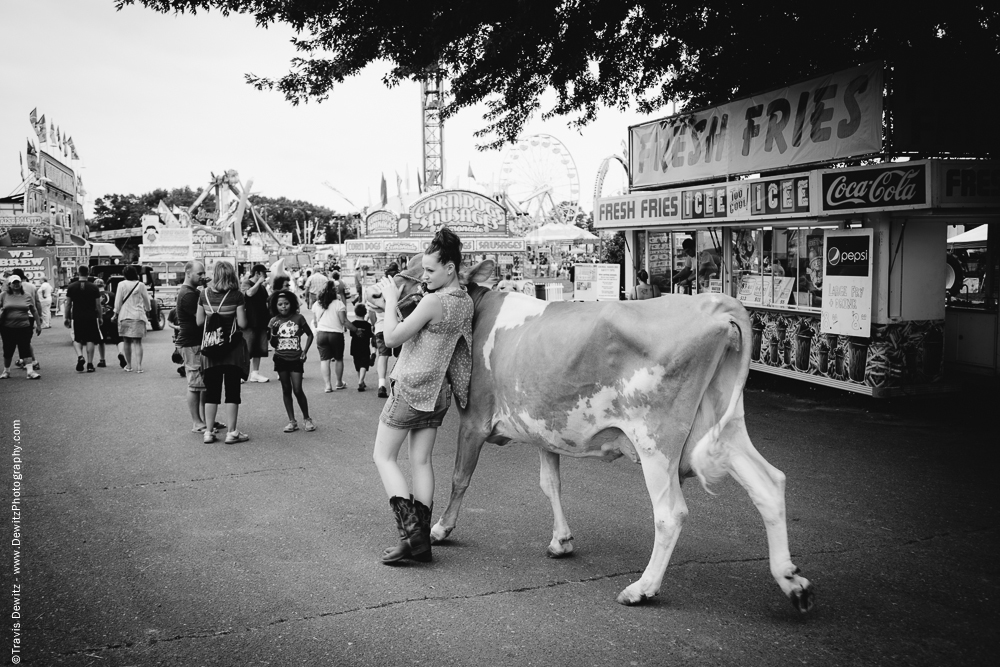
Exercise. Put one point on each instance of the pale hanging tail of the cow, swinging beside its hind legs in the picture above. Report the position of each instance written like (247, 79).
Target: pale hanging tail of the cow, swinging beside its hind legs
(709, 456)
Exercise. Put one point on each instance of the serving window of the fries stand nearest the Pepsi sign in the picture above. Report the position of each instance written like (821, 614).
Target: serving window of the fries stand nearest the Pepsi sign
(780, 267)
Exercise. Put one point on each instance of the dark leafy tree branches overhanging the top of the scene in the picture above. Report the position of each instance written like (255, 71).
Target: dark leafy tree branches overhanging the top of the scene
(605, 53)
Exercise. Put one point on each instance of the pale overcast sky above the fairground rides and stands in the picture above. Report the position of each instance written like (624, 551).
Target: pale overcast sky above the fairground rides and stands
(155, 100)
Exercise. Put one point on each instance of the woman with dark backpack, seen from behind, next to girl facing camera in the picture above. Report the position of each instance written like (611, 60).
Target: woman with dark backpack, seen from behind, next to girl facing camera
(221, 309)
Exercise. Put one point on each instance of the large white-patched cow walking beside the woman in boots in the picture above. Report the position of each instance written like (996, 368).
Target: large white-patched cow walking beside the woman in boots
(659, 381)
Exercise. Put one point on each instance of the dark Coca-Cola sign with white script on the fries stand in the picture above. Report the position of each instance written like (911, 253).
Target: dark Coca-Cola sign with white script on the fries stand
(900, 185)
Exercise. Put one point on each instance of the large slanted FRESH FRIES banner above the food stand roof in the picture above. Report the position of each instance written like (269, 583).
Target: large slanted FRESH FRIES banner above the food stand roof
(820, 120)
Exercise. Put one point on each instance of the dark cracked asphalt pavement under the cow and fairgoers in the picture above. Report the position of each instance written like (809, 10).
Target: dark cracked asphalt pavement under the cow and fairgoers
(140, 545)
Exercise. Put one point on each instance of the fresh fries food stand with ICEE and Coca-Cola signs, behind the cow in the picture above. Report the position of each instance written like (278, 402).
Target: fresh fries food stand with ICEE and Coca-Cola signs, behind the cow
(841, 269)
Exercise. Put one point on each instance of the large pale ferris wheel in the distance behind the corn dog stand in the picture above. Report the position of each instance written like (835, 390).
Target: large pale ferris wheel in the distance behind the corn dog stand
(538, 174)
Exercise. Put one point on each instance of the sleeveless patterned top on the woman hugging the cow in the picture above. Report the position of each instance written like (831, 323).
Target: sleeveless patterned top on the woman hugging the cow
(438, 352)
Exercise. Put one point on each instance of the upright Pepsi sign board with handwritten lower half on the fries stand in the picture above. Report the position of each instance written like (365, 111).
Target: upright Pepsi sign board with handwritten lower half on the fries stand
(847, 283)
